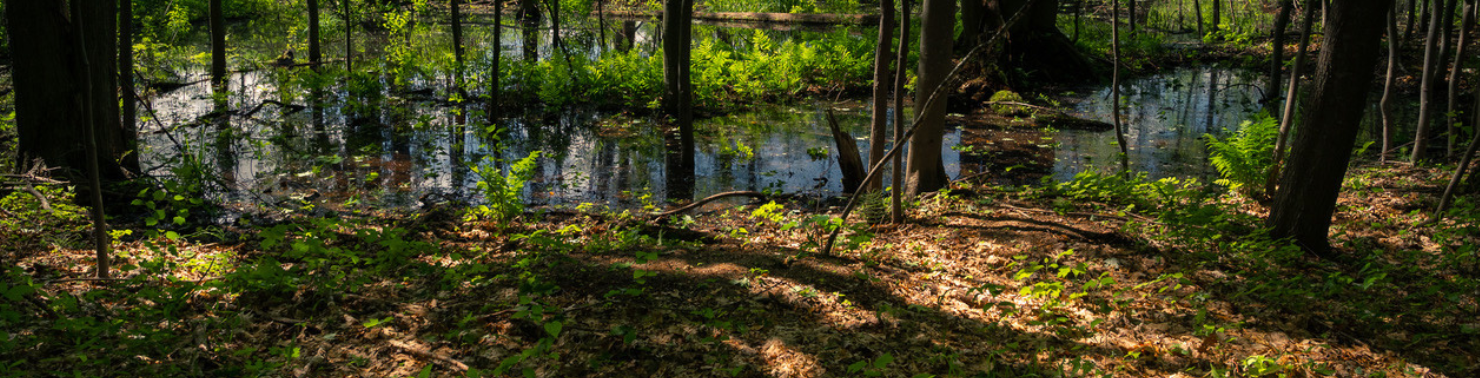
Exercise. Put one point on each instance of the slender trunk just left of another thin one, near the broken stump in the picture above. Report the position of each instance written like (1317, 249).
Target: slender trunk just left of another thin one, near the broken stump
(883, 57)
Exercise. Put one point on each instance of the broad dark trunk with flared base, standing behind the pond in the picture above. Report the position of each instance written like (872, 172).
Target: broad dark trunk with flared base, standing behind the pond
(1037, 45)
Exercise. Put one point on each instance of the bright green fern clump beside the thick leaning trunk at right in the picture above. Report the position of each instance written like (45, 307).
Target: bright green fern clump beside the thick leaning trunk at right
(1244, 161)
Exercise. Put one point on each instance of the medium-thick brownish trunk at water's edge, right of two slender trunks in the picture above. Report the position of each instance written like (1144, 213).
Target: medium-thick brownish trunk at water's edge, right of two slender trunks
(927, 173)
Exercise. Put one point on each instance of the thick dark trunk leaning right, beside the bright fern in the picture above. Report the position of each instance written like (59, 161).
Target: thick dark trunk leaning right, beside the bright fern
(1309, 188)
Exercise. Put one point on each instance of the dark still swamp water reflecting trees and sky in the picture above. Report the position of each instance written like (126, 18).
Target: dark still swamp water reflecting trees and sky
(396, 149)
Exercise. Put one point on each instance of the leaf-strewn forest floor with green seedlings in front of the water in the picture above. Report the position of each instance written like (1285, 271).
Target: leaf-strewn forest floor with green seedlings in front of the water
(1094, 278)
